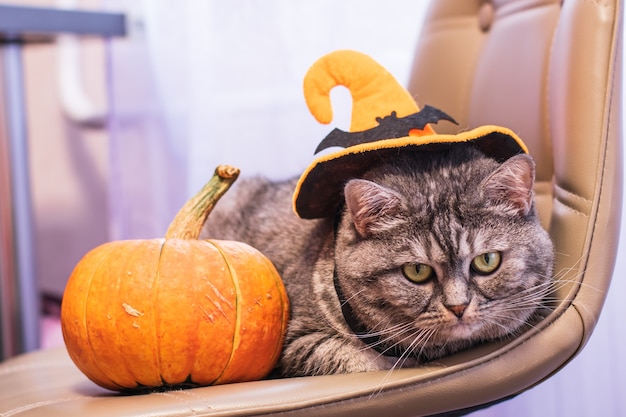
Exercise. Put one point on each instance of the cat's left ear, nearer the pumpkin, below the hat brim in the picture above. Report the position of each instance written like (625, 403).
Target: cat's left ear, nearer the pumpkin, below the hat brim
(372, 207)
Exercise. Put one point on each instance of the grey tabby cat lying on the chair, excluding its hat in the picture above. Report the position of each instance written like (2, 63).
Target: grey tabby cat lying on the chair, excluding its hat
(431, 253)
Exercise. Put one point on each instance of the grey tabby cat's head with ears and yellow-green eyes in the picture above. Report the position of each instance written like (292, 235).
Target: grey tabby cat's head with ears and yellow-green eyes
(434, 259)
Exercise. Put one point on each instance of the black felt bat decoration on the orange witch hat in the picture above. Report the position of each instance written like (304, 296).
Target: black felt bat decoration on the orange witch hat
(389, 127)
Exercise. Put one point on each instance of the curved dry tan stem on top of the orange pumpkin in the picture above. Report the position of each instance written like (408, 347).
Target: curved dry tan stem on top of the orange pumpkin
(191, 217)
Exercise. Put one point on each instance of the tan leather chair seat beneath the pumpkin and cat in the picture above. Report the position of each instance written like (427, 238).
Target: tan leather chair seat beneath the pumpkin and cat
(48, 383)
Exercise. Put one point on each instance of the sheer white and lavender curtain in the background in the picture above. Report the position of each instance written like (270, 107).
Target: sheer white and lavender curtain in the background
(207, 82)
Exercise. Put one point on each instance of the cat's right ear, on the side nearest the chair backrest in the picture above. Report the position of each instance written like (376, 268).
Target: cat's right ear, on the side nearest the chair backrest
(511, 185)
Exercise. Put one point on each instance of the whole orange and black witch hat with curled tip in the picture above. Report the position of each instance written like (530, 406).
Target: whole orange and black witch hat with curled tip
(385, 121)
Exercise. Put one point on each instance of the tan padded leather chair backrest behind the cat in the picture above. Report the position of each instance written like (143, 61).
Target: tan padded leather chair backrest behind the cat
(551, 71)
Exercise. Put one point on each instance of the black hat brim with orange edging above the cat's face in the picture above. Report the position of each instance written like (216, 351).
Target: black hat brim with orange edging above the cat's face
(319, 190)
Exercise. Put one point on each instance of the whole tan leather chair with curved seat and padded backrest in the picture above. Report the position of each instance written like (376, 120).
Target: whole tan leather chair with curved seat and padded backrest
(551, 71)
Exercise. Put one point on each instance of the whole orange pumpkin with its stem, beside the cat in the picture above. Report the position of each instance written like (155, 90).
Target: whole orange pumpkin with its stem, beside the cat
(177, 311)
